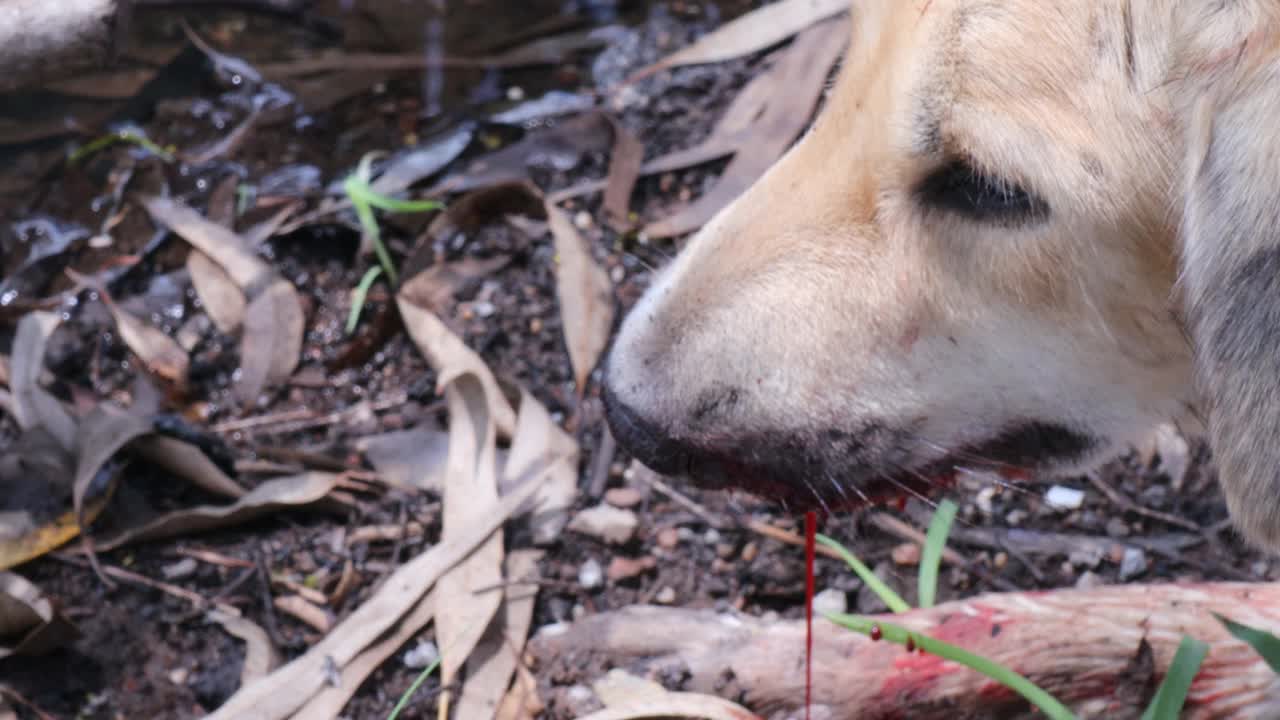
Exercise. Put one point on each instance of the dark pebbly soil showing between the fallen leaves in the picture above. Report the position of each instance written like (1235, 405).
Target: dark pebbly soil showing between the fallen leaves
(145, 654)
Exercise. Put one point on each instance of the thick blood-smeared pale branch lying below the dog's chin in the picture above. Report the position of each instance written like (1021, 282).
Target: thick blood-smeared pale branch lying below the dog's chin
(1084, 646)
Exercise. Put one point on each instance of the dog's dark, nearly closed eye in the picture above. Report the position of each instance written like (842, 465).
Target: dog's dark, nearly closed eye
(961, 189)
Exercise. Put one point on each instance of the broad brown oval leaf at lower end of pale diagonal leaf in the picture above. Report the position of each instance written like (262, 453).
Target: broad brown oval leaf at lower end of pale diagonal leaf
(272, 343)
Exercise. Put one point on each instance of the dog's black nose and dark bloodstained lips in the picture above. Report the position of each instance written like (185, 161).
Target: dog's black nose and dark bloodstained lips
(838, 470)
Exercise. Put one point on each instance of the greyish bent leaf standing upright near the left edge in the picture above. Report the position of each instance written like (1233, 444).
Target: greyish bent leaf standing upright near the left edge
(34, 407)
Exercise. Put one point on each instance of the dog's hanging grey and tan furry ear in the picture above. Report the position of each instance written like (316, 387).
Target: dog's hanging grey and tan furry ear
(1231, 279)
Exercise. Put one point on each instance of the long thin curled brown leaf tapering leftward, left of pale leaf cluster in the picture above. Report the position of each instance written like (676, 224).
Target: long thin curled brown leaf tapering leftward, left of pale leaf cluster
(272, 496)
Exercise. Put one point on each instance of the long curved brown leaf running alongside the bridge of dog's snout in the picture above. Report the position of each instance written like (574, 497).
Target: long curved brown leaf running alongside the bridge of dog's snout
(796, 92)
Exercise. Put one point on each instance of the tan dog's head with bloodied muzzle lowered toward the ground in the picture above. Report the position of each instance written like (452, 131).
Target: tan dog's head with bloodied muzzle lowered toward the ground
(1018, 236)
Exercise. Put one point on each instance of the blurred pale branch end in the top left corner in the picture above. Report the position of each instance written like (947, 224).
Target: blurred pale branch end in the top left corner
(44, 40)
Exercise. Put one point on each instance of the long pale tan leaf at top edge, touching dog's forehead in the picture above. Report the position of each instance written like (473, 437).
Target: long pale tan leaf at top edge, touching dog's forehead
(756, 31)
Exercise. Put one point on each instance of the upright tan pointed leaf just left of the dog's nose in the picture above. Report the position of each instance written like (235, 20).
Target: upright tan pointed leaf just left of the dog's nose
(586, 297)
